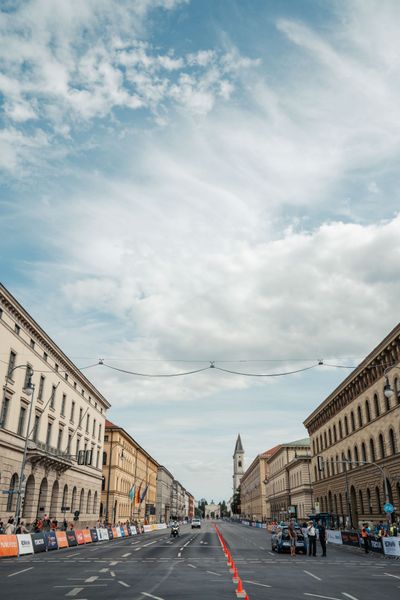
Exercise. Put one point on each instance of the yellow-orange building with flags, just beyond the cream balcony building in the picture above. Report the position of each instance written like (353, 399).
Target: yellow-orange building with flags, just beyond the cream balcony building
(127, 464)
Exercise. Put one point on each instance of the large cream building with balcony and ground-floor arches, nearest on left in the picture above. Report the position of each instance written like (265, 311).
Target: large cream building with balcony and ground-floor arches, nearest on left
(62, 420)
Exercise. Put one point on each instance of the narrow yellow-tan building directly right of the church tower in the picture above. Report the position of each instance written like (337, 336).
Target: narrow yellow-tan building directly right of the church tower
(252, 487)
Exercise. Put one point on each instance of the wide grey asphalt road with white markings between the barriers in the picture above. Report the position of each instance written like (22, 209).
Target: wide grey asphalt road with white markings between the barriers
(194, 567)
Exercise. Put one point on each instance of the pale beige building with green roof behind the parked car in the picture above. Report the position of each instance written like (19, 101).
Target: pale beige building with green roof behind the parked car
(288, 483)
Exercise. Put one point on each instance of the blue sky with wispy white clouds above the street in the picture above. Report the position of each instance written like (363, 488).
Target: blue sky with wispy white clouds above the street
(184, 182)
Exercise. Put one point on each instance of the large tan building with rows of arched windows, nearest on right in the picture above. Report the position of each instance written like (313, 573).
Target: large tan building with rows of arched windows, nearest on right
(356, 424)
